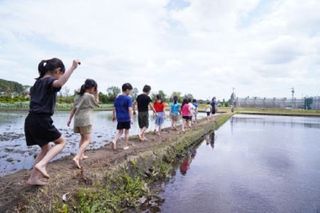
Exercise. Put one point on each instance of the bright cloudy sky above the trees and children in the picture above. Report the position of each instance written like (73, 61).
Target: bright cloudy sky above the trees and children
(204, 47)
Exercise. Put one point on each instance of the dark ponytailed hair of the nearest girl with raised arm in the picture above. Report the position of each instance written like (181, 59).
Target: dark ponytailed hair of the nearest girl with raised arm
(50, 65)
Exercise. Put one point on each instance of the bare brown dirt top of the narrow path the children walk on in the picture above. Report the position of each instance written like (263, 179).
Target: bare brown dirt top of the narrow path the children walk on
(16, 195)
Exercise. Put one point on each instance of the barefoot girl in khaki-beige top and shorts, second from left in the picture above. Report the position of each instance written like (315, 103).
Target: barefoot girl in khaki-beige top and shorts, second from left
(86, 100)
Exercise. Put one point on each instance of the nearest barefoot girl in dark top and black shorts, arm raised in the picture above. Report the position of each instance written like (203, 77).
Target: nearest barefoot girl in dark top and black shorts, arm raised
(38, 127)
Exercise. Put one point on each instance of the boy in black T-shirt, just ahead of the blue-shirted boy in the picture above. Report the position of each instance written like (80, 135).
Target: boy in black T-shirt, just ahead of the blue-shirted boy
(143, 102)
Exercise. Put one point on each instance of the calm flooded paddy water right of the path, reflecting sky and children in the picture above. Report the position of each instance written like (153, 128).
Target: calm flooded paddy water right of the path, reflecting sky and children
(259, 164)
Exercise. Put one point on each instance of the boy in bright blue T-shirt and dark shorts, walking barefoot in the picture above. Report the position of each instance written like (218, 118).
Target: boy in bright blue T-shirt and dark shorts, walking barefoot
(122, 112)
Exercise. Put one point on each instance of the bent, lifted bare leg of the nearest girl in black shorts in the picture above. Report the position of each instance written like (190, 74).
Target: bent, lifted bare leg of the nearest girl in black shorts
(41, 166)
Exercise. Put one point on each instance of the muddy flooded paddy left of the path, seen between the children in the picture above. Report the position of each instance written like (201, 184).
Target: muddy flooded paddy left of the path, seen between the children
(15, 155)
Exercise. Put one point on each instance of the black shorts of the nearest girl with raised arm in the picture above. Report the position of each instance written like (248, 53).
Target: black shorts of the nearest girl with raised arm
(39, 130)
